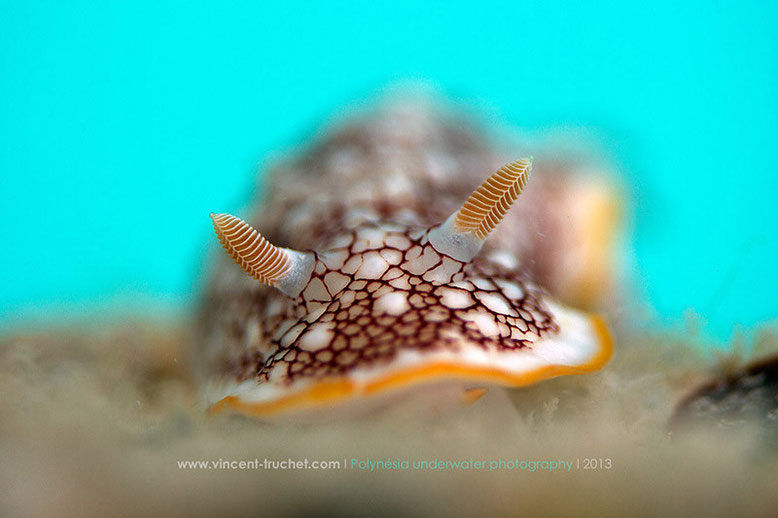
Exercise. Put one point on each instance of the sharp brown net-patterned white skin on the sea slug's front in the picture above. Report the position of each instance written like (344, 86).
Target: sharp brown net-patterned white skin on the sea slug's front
(371, 297)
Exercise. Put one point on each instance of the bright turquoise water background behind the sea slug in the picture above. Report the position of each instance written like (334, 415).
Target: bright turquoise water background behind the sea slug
(122, 125)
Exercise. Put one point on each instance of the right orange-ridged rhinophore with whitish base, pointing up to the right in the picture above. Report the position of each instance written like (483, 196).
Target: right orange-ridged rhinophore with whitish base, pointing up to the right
(463, 233)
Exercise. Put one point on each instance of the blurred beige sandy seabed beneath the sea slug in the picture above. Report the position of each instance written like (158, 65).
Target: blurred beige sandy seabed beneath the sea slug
(96, 422)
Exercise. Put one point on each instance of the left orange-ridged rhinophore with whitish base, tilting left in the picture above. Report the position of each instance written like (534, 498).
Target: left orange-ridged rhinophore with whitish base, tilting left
(279, 267)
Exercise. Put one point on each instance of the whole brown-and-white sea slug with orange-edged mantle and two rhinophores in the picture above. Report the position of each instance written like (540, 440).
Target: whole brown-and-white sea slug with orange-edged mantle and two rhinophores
(374, 268)
